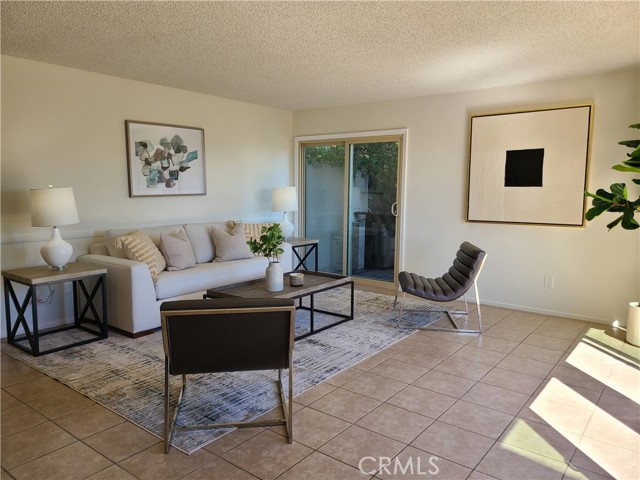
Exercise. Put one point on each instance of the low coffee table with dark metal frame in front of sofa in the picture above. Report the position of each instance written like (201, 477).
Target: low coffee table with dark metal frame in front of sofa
(314, 283)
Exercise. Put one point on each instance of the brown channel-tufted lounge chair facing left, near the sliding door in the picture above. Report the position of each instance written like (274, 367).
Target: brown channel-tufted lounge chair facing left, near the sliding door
(454, 284)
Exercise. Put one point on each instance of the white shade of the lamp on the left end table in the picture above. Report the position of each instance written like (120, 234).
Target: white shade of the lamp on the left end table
(52, 206)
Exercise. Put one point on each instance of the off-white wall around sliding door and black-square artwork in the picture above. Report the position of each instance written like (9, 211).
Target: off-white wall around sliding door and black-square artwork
(596, 272)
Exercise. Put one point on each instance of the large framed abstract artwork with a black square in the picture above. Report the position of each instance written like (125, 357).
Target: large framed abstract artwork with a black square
(530, 167)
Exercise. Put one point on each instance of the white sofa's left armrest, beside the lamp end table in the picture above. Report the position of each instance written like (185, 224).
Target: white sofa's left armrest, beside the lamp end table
(131, 293)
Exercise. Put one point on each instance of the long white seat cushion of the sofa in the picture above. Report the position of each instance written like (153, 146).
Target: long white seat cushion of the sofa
(208, 275)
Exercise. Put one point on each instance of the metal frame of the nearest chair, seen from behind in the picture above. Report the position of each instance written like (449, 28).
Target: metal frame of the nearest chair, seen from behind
(170, 423)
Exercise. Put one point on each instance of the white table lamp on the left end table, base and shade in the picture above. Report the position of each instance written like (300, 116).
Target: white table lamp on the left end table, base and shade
(52, 207)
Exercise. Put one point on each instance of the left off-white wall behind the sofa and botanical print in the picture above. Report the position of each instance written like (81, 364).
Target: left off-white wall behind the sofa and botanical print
(65, 127)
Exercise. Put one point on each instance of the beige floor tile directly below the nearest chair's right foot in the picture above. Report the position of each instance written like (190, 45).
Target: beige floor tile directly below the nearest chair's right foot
(267, 455)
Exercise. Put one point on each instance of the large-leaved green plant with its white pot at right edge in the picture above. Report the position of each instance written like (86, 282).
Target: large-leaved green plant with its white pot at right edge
(617, 201)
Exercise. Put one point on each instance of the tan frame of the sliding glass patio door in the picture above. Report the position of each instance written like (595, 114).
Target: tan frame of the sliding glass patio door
(350, 138)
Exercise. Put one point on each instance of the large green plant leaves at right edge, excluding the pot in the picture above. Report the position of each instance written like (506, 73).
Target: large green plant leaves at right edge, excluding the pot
(617, 200)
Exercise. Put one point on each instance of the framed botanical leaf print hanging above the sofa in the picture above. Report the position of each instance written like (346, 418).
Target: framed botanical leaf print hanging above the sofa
(165, 160)
